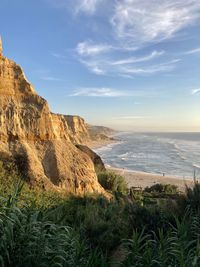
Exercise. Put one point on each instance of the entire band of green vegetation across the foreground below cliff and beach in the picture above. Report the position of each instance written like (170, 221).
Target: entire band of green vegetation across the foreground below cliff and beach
(155, 227)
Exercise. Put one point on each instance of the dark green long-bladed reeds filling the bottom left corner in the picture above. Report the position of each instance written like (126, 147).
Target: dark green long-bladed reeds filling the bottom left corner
(27, 238)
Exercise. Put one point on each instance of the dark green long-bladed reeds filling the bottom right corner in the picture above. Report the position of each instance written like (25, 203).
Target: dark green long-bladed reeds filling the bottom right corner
(179, 246)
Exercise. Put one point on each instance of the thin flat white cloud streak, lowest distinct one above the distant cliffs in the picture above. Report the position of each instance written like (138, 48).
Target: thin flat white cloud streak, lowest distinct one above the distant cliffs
(99, 92)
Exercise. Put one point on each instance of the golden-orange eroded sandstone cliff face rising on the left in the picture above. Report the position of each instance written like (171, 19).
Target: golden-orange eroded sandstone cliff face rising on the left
(28, 128)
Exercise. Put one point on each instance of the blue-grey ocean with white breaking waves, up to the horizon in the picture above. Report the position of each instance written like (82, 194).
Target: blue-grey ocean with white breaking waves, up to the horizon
(175, 154)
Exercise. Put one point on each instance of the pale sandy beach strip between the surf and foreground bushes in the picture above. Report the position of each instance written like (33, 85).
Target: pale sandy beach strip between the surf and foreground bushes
(143, 179)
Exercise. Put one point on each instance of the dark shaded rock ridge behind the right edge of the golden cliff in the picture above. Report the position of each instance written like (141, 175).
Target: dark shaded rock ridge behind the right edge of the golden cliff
(98, 163)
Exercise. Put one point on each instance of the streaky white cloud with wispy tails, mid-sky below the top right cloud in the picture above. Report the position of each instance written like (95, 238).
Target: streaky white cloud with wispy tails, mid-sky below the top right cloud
(101, 60)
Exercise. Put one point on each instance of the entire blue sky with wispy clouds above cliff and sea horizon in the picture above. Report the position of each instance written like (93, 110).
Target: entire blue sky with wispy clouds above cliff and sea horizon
(128, 64)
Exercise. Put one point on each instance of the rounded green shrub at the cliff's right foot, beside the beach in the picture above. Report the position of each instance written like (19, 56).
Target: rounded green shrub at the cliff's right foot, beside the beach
(113, 182)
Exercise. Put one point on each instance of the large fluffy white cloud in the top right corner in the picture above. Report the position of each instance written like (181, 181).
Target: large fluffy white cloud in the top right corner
(136, 21)
